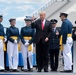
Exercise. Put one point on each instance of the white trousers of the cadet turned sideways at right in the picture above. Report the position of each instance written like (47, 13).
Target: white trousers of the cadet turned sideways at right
(67, 54)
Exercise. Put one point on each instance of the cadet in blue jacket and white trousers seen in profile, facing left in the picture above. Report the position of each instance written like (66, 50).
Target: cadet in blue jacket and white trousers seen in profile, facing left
(66, 32)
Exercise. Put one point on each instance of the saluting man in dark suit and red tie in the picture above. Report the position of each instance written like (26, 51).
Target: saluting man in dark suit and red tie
(41, 39)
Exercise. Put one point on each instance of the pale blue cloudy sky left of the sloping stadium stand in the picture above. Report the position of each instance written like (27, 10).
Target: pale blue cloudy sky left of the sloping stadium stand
(18, 9)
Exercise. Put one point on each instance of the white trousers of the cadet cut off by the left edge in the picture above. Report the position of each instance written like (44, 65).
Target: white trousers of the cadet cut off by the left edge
(1, 55)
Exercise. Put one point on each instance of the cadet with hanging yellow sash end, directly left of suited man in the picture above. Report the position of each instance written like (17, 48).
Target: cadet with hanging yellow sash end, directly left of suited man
(27, 34)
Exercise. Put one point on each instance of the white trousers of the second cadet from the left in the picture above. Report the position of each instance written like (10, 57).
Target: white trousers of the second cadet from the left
(12, 50)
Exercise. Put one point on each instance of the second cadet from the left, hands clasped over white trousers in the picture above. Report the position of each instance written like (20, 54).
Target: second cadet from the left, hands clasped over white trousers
(12, 45)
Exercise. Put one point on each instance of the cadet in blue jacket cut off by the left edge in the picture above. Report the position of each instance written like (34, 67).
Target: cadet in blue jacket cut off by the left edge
(2, 40)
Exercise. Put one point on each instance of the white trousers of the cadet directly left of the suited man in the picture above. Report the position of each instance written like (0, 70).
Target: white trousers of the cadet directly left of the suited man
(25, 54)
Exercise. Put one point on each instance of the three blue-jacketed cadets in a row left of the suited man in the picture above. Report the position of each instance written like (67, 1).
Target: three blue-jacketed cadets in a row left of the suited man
(13, 37)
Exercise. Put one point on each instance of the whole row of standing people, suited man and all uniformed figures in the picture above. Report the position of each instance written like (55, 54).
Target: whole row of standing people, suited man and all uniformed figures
(48, 39)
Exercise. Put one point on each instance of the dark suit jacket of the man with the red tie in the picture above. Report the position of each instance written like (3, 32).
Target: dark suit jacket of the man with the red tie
(41, 34)
